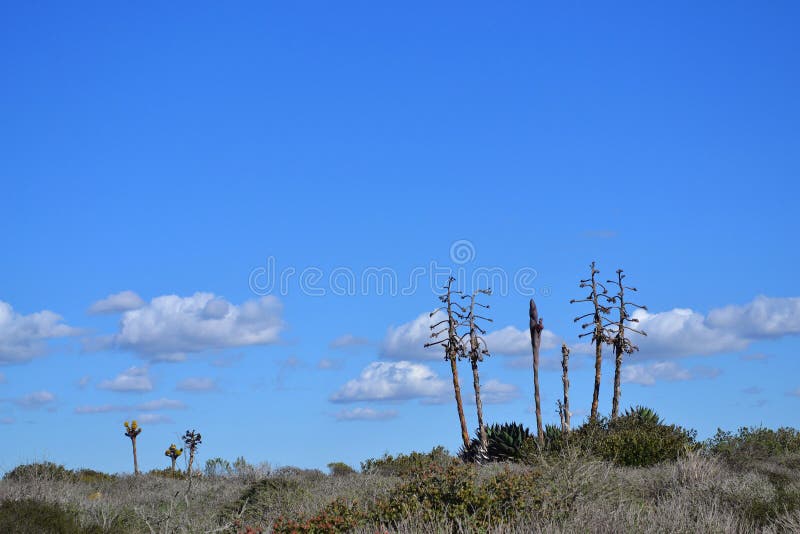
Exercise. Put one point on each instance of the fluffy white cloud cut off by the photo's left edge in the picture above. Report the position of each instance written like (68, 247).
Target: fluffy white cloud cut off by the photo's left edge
(24, 337)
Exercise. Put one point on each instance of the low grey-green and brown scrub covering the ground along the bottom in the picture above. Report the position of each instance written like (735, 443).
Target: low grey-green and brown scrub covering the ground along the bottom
(634, 473)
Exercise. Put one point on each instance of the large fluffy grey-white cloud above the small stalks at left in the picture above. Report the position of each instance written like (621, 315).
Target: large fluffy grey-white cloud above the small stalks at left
(170, 326)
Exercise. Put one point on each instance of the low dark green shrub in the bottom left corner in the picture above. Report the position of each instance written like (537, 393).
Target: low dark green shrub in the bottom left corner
(37, 517)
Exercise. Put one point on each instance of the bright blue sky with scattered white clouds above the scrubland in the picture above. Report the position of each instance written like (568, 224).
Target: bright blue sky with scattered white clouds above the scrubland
(159, 161)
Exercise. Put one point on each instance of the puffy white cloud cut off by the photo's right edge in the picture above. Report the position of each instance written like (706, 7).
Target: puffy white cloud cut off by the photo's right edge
(763, 317)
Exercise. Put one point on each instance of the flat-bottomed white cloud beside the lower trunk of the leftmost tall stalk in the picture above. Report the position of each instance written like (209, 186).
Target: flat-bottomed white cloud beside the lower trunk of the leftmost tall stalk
(392, 381)
